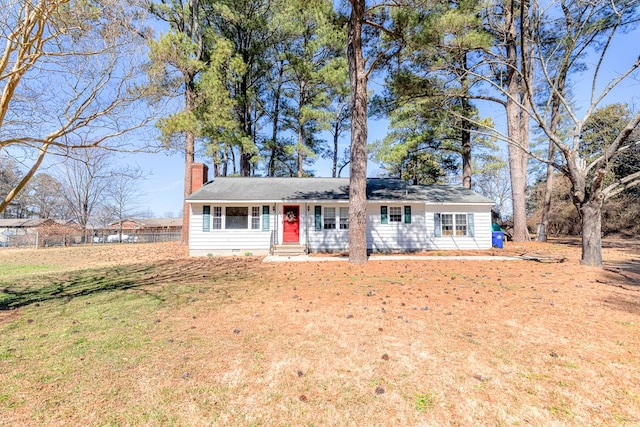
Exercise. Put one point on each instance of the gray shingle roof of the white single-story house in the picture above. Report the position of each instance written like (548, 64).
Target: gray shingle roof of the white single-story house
(225, 189)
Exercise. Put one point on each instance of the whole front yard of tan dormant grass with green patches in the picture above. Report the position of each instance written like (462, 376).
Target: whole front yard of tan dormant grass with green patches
(143, 335)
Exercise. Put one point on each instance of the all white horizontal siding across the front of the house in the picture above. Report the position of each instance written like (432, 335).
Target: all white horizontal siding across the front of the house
(419, 235)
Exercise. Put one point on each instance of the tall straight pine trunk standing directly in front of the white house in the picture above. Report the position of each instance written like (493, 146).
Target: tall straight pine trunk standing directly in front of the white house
(358, 173)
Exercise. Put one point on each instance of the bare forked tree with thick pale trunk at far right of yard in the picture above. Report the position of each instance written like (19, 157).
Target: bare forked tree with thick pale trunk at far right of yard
(589, 189)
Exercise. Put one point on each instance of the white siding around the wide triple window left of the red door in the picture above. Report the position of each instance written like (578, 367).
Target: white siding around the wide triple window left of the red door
(227, 242)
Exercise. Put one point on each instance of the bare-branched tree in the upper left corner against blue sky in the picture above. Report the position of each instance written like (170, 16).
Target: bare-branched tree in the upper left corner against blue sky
(69, 77)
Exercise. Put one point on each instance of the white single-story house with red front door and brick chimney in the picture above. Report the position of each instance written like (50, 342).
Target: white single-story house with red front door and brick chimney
(258, 215)
